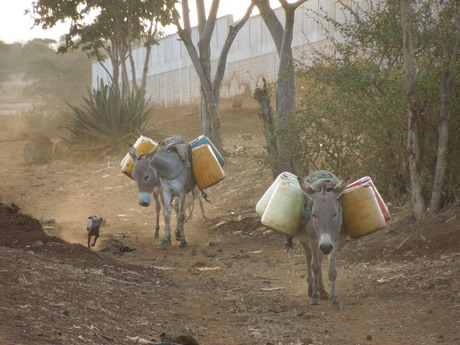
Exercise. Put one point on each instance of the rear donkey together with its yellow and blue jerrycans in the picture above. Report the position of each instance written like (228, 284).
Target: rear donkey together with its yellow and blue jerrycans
(169, 170)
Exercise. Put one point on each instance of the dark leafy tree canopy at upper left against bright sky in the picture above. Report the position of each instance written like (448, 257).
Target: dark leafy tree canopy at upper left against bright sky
(93, 23)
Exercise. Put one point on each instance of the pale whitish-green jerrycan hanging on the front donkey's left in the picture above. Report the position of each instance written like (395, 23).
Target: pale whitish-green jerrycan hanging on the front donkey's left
(285, 208)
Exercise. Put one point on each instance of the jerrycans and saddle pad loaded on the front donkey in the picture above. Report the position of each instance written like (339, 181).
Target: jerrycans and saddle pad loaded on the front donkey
(284, 206)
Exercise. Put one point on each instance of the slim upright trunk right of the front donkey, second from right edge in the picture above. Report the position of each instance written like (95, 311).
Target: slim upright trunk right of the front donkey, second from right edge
(414, 134)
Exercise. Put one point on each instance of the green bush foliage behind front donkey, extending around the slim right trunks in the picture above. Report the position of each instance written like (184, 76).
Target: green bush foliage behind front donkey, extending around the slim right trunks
(353, 116)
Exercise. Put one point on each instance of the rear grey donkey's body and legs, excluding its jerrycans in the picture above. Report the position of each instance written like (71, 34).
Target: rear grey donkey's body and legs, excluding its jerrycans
(167, 174)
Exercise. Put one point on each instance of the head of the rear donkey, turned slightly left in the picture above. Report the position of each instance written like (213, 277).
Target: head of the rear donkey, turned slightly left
(145, 174)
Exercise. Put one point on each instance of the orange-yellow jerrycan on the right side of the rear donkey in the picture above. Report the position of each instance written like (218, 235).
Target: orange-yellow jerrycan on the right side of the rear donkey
(206, 167)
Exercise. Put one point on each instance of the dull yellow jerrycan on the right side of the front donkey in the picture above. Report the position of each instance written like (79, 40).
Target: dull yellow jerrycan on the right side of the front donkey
(361, 211)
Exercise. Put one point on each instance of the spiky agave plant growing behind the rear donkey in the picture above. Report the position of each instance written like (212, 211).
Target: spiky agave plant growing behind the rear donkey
(108, 120)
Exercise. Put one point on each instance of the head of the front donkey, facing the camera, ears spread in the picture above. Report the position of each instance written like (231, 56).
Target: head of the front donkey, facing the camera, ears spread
(326, 211)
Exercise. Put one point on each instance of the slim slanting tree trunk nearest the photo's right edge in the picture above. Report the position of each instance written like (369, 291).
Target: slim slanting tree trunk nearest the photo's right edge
(443, 125)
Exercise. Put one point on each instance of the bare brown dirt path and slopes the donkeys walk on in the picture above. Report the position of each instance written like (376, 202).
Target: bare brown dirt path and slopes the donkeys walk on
(233, 284)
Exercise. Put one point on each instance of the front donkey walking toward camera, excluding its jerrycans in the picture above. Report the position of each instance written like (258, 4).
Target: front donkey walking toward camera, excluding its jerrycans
(319, 234)
